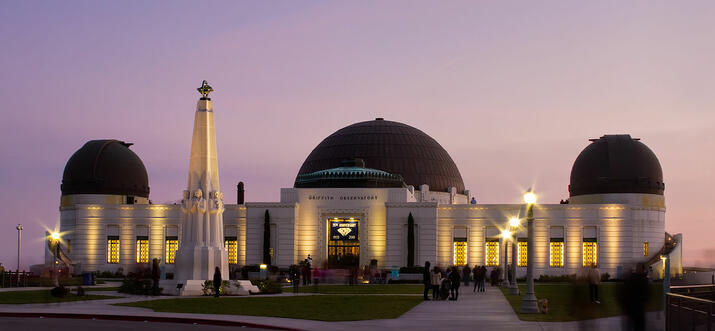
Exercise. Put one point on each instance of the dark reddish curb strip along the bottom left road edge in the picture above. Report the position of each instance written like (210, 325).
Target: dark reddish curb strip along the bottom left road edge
(135, 318)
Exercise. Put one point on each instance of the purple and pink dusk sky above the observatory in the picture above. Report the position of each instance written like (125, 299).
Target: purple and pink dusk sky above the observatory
(512, 92)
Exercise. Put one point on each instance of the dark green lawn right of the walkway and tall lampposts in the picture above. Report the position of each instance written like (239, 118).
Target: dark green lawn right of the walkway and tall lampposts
(568, 302)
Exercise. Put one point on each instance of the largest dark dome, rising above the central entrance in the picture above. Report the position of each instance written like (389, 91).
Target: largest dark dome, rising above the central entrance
(389, 146)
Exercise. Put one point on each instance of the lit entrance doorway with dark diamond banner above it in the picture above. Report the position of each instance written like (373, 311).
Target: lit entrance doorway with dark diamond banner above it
(343, 243)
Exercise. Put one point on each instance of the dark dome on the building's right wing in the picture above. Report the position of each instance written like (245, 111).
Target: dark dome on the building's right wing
(616, 164)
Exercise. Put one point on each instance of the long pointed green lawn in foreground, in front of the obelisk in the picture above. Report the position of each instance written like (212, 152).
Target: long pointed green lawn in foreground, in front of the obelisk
(313, 307)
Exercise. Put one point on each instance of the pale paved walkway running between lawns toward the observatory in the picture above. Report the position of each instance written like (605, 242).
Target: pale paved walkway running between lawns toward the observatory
(488, 310)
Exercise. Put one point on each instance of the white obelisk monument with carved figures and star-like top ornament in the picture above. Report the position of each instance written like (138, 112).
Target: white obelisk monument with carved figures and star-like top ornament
(201, 245)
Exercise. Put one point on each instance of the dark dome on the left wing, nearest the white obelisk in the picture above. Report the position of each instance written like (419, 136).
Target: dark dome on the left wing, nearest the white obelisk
(105, 167)
